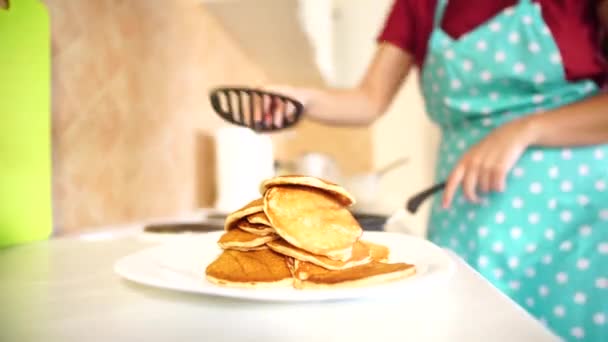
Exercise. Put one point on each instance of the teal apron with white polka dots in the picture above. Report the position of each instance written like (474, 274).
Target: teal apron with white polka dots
(543, 241)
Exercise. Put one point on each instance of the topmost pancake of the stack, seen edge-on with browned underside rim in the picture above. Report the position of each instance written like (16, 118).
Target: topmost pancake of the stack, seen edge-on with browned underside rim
(337, 191)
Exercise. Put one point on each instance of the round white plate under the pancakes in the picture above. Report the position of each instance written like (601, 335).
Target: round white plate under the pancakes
(180, 266)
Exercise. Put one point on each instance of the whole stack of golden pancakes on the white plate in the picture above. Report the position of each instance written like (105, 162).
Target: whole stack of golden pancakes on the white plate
(302, 234)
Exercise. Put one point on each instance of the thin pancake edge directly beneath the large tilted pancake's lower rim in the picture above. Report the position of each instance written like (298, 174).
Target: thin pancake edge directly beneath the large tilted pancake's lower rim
(361, 255)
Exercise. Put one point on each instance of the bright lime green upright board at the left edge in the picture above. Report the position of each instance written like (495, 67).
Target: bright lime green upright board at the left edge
(25, 123)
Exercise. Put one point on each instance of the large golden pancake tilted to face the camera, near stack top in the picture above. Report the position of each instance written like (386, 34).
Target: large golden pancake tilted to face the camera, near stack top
(312, 220)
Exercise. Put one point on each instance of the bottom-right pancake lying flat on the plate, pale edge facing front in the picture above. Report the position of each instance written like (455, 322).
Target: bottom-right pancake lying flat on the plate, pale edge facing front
(310, 276)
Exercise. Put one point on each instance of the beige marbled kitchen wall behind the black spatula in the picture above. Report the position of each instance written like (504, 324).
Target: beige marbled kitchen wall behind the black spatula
(131, 121)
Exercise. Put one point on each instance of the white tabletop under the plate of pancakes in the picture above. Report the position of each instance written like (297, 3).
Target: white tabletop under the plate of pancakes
(66, 290)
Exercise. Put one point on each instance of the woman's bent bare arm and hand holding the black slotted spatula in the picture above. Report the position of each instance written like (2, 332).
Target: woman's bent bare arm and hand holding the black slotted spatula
(361, 105)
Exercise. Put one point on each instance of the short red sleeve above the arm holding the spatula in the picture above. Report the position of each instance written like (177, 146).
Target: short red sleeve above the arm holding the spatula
(399, 27)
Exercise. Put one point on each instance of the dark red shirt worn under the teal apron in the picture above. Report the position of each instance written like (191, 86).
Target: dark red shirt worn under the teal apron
(572, 23)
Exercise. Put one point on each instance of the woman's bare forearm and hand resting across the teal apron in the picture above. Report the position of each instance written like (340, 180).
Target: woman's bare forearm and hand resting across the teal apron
(486, 165)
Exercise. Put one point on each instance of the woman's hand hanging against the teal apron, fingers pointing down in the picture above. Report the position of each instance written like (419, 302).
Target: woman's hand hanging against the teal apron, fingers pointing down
(486, 165)
